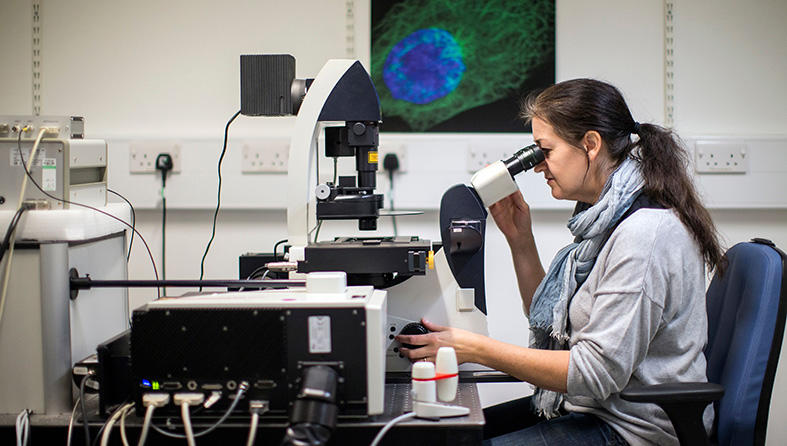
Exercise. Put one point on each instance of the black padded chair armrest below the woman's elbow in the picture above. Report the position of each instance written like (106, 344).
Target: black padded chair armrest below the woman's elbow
(675, 393)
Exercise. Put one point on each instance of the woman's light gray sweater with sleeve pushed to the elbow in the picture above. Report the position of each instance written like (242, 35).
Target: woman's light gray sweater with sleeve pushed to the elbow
(638, 319)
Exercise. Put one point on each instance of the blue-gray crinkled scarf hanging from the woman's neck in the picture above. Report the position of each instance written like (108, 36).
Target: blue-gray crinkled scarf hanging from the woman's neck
(570, 268)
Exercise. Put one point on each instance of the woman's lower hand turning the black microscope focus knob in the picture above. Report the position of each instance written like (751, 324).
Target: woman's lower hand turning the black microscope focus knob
(465, 343)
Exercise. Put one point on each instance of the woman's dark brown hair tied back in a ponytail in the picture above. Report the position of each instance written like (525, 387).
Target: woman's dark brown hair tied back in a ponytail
(577, 106)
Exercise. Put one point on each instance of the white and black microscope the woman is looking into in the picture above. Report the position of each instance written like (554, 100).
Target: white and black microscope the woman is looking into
(440, 281)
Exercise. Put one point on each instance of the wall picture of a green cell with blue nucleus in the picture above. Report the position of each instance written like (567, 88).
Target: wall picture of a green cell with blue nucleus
(460, 65)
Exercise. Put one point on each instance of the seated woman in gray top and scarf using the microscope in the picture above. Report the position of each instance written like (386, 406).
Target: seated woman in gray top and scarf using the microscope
(624, 305)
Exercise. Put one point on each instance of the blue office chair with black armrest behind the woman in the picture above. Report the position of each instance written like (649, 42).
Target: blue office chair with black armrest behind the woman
(746, 315)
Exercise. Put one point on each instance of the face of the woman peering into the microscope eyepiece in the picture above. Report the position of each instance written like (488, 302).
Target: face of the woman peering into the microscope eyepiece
(565, 166)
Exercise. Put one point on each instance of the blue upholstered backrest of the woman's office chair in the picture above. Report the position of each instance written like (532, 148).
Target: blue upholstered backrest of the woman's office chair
(746, 314)
